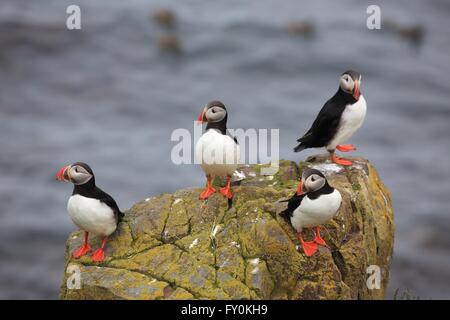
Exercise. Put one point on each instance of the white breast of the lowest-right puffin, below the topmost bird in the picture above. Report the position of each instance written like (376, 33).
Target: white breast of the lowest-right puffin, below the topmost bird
(314, 212)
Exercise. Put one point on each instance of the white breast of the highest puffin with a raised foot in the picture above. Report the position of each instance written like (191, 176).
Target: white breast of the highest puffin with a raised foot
(351, 120)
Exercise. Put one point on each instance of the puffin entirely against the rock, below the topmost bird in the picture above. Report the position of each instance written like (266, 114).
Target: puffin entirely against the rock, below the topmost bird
(314, 204)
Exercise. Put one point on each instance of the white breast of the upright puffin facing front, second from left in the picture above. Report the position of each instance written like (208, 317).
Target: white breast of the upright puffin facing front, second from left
(217, 153)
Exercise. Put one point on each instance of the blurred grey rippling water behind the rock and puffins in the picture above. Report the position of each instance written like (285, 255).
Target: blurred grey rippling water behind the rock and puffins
(107, 95)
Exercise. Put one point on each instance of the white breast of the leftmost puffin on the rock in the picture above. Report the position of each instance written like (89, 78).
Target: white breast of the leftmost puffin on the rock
(91, 215)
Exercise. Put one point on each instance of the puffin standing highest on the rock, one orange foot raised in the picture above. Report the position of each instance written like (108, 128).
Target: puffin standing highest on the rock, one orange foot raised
(338, 120)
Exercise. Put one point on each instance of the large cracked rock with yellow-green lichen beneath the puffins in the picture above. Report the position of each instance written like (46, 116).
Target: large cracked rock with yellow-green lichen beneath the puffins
(174, 246)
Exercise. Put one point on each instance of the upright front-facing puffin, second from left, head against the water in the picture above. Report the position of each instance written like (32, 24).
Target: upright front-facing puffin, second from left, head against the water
(217, 152)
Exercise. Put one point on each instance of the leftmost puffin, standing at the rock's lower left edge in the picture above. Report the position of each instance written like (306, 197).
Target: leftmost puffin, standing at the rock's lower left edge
(91, 209)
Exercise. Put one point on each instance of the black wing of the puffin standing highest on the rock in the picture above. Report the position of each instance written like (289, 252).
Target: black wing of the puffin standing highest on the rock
(324, 126)
